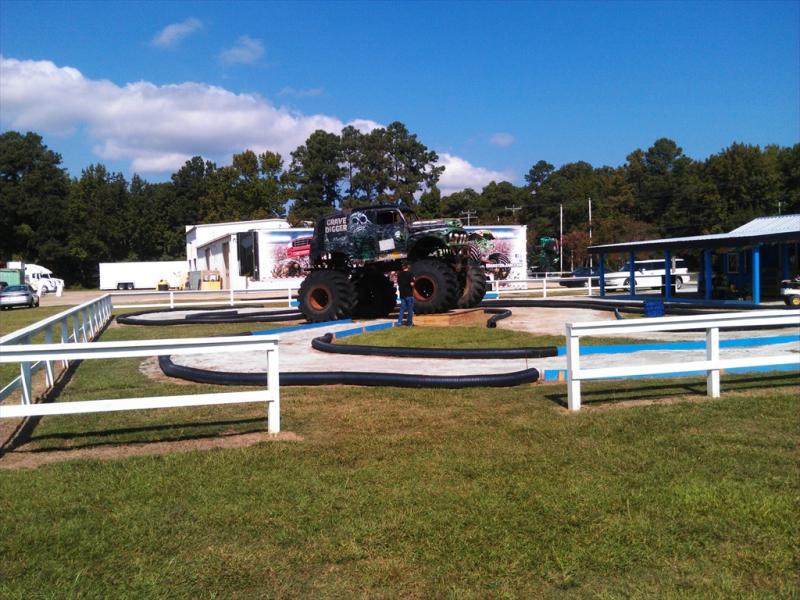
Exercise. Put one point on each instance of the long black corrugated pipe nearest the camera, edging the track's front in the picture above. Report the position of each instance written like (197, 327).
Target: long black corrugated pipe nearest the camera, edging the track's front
(350, 378)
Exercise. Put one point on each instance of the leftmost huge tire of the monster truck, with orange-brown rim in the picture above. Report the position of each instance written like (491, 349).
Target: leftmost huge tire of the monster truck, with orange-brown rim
(326, 295)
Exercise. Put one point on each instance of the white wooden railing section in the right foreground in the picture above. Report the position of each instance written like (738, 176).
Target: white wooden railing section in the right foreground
(711, 365)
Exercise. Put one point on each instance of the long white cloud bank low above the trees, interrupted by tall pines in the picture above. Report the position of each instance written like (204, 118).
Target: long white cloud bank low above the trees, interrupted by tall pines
(159, 127)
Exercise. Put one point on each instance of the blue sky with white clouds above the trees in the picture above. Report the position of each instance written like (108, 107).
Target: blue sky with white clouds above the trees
(492, 87)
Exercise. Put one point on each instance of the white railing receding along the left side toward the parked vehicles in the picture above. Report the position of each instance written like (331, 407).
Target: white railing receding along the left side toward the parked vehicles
(79, 324)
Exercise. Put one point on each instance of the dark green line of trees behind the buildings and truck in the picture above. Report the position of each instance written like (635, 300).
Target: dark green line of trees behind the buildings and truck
(72, 224)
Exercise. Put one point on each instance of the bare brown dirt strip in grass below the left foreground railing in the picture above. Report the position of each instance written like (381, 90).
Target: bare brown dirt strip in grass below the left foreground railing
(24, 458)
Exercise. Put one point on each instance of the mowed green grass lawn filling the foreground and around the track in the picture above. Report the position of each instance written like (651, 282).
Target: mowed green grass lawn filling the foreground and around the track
(417, 493)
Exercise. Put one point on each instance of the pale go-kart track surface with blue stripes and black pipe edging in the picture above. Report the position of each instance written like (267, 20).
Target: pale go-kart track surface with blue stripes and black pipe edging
(302, 364)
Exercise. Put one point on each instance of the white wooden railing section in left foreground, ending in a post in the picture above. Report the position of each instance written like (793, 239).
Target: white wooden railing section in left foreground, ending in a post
(28, 354)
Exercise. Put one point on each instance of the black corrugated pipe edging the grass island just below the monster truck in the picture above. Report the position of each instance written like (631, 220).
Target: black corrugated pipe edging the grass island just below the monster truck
(324, 343)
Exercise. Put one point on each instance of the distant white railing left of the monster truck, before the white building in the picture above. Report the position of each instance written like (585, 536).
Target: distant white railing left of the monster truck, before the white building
(172, 298)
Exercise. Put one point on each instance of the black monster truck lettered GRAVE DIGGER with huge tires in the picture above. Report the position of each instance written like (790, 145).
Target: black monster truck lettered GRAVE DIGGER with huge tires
(352, 251)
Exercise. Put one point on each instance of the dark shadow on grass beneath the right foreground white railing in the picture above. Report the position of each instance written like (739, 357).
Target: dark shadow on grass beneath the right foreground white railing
(631, 390)
